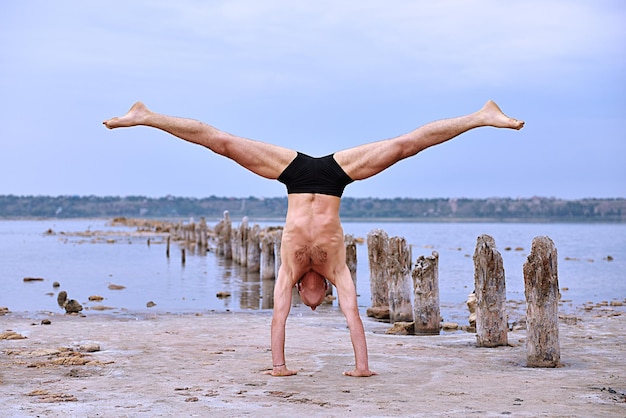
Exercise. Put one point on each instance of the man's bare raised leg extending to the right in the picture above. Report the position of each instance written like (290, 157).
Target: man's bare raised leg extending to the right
(367, 160)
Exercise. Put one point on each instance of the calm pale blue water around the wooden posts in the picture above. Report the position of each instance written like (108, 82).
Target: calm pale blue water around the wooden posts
(85, 266)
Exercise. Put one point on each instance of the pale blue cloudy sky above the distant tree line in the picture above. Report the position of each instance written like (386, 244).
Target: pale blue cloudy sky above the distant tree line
(315, 76)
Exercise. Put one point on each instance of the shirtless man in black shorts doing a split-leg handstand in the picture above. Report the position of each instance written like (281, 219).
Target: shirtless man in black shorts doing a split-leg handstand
(312, 248)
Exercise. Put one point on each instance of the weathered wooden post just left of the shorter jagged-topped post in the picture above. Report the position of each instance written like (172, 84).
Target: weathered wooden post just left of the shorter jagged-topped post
(398, 273)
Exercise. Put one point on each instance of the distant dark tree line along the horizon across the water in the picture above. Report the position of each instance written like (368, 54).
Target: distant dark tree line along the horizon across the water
(406, 209)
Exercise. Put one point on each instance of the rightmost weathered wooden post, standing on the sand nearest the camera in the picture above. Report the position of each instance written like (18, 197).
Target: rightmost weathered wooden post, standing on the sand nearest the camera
(541, 282)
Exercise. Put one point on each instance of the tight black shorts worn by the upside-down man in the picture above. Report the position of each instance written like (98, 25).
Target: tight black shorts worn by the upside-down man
(322, 175)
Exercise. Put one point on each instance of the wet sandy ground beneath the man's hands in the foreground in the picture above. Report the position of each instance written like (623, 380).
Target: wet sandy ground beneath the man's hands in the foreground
(212, 364)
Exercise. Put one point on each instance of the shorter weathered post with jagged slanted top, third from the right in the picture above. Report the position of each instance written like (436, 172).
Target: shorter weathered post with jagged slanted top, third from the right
(426, 313)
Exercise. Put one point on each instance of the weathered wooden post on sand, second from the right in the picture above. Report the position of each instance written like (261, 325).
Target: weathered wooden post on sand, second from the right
(490, 287)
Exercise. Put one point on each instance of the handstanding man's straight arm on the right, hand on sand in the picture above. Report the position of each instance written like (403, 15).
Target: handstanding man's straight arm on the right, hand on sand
(348, 303)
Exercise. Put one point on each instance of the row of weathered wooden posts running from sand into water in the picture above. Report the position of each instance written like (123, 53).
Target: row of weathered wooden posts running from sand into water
(395, 281)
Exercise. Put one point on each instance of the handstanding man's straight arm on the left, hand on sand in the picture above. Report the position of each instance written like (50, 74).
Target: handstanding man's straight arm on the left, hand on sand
(282, 306)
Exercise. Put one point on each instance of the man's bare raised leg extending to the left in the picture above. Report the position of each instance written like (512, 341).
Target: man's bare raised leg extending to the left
(264, 159)
